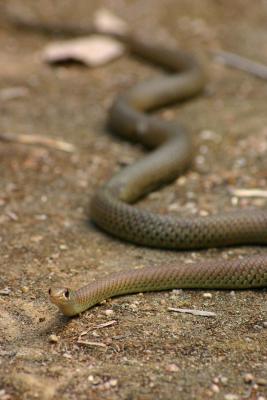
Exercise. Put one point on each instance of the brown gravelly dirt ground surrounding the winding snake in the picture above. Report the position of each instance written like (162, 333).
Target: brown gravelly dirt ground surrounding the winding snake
(47, 238)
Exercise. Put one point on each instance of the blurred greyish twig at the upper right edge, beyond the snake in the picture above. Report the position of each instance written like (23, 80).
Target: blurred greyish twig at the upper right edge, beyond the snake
(242, 63)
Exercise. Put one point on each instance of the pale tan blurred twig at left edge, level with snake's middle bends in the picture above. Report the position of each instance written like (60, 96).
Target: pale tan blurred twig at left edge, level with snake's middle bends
(39, 140)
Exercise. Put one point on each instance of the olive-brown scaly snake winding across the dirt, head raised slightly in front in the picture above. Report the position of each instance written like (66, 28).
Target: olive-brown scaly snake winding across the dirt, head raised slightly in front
(113, 207)
